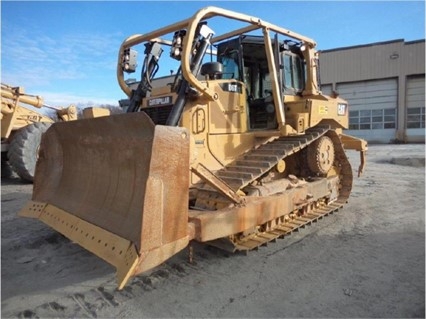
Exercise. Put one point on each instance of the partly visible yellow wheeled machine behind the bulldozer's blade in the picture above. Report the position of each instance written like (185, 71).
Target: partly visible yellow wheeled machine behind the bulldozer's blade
(22, 127)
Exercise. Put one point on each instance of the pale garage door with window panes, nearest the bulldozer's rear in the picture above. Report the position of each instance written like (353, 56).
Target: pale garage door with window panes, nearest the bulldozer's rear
(372, 109)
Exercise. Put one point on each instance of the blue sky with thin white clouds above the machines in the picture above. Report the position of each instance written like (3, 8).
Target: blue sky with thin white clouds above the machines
(66, 51)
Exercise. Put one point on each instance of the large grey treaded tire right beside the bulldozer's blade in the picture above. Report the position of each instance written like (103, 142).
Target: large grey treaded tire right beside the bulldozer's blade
(23, 149)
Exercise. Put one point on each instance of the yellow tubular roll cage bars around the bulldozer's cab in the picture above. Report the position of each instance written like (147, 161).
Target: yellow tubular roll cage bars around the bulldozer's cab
(191, 24)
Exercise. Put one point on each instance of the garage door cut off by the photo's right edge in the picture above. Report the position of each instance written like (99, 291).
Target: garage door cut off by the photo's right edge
(415, 102)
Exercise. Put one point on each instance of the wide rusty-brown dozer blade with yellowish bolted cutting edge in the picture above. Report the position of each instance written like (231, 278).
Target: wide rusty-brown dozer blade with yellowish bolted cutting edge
(117, 186)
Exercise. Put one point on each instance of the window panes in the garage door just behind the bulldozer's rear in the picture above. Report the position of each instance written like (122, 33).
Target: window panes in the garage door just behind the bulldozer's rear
(373, 119)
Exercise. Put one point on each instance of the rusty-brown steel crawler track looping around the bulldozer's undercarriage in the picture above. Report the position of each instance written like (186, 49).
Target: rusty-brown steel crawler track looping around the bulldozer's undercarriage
(257, 163)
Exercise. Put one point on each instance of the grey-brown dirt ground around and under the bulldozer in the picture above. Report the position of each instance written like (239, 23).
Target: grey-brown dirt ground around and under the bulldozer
(366, 260)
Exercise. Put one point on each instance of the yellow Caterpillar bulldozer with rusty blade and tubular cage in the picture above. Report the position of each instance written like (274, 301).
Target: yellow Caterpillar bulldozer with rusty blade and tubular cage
(239, 149)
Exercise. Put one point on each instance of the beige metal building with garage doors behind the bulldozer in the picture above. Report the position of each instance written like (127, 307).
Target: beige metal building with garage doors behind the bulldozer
(384, 84)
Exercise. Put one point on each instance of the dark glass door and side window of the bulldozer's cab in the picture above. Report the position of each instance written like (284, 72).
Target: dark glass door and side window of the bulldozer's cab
(244, 59)
